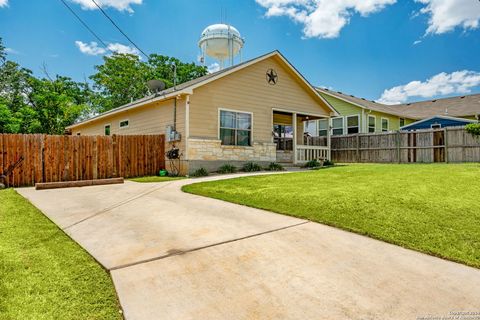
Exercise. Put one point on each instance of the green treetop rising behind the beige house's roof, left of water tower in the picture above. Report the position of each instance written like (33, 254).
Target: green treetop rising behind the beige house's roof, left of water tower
(123, 77)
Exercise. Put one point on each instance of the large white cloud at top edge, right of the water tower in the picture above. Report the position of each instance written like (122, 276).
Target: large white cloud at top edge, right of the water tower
(322, 18)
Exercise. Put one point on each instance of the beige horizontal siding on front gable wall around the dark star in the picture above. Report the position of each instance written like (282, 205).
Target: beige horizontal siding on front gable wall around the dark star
(247, 90)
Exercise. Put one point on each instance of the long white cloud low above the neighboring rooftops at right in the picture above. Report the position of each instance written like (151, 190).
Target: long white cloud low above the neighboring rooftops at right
(458, 82)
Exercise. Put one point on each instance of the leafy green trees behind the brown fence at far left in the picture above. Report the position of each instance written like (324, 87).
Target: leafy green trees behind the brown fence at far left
(39, 105)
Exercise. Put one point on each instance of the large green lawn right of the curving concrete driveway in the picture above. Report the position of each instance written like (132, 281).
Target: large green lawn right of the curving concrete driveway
(433, 208)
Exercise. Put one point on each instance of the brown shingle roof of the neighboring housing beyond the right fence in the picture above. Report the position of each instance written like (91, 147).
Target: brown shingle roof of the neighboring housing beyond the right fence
(459, 106)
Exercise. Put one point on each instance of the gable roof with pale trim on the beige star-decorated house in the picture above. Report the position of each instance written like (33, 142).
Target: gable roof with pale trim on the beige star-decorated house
(187, 87)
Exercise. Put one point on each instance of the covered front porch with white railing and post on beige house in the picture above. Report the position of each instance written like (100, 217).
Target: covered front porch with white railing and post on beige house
(296, 145)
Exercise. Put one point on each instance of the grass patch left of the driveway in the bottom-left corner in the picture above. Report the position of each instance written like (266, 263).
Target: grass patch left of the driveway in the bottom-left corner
(43, 273)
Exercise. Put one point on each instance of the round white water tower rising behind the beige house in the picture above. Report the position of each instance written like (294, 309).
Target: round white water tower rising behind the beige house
(221, 42)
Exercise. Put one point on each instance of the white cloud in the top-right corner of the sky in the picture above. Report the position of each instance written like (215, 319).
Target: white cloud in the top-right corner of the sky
(446, 15)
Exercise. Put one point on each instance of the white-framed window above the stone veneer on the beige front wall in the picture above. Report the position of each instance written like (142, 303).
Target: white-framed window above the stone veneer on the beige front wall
(235, 128)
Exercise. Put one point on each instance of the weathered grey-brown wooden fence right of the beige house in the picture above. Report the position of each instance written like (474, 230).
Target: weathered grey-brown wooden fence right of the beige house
(433, 145)
